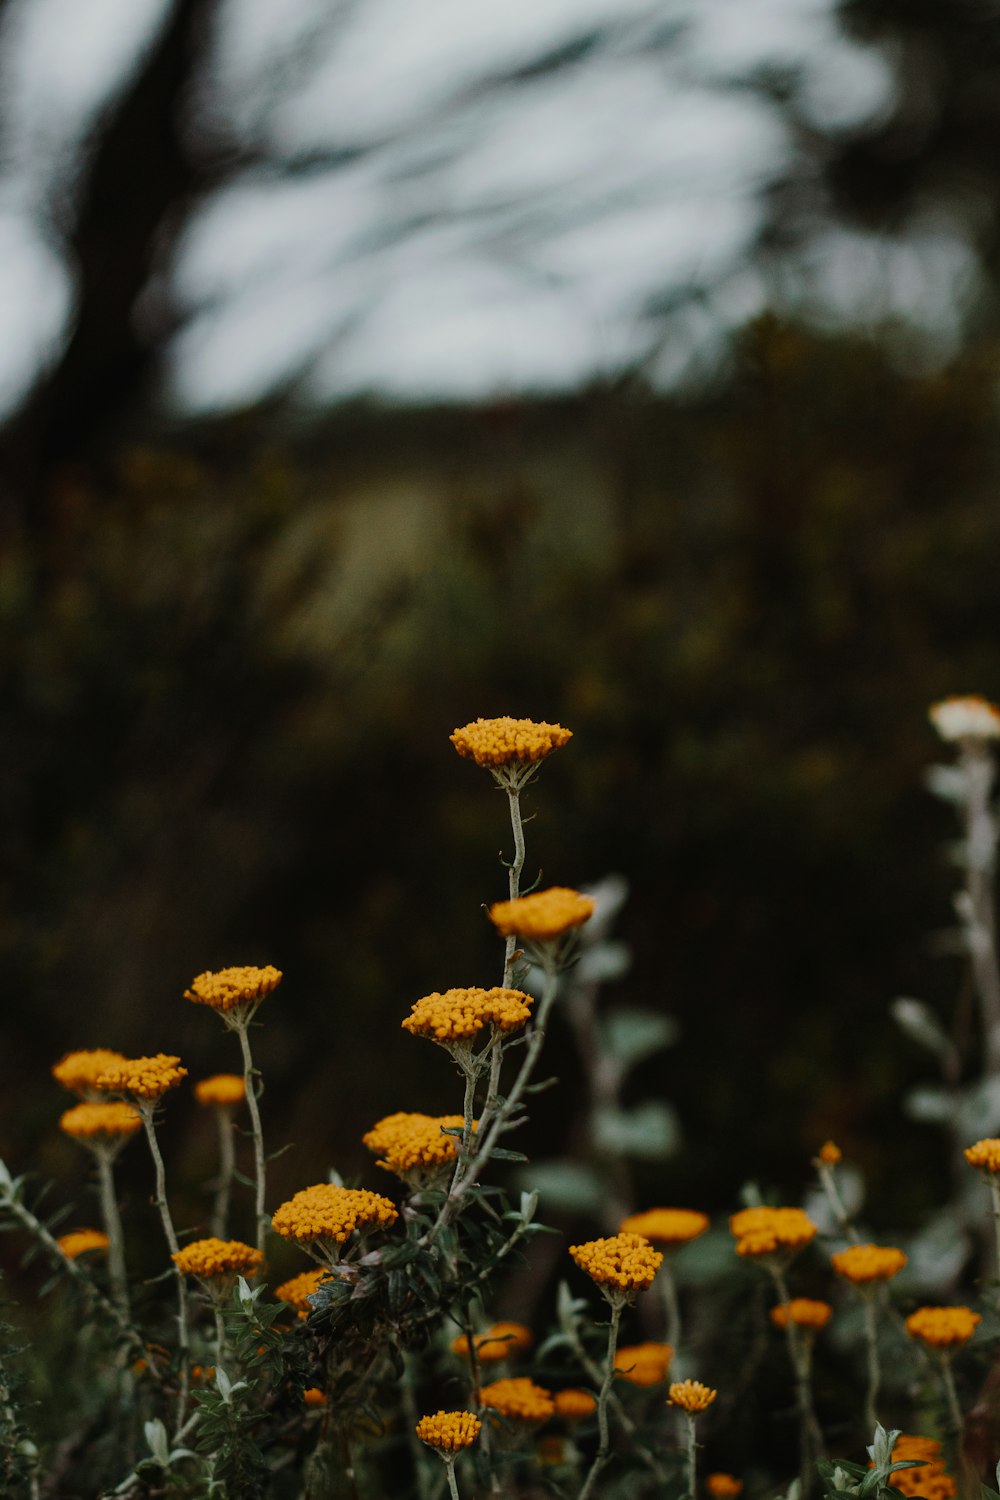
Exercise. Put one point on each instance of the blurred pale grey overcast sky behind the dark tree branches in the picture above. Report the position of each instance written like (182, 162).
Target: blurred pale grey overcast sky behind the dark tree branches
(499, 238)
